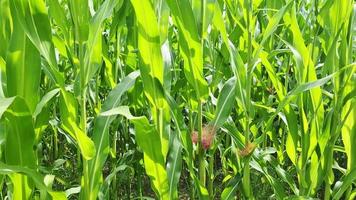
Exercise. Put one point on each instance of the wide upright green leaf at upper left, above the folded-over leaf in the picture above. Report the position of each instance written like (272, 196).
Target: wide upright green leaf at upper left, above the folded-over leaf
(23, 67)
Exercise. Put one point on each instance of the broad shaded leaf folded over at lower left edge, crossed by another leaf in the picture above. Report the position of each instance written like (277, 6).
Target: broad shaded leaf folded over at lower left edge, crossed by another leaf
(20, 137)
